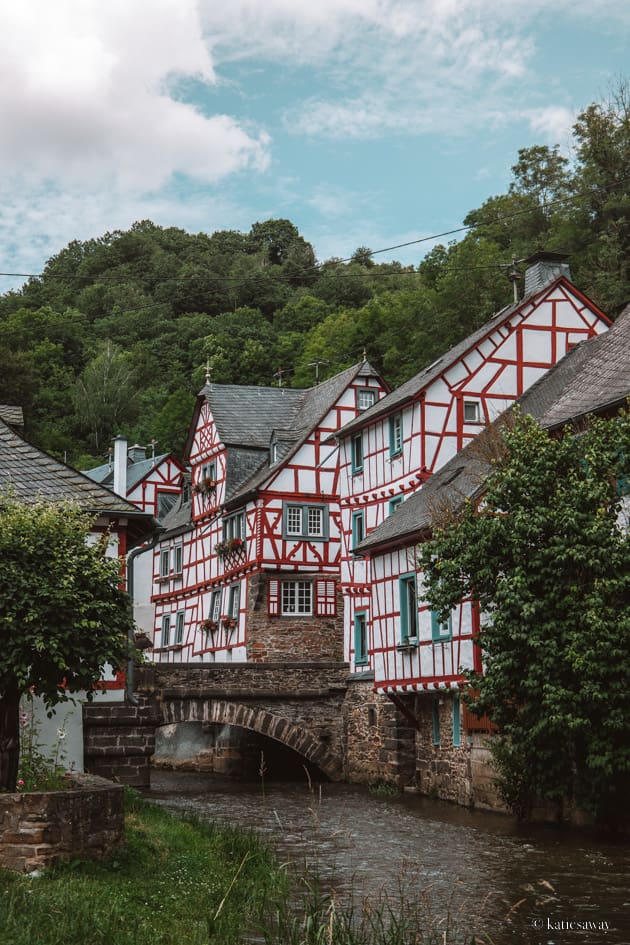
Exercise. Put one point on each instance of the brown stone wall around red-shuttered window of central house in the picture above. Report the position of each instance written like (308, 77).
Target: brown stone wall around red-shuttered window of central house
(275, 638)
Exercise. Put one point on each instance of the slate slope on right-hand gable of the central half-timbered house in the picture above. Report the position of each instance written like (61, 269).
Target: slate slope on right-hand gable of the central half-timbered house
(314, 404)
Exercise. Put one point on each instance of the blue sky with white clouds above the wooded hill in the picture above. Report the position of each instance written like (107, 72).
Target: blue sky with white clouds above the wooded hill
(364, 122)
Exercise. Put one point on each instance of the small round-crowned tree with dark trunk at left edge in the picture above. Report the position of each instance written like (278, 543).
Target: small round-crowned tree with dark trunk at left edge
(63, 614)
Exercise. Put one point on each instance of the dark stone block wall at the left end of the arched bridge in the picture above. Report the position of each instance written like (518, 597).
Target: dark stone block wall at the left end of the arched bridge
(119, 740)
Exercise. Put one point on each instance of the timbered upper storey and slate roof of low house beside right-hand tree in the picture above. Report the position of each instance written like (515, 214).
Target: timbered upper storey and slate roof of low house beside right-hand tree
(412, 651)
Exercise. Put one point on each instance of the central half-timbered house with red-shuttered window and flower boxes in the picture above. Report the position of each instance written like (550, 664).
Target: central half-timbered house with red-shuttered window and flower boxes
(248, 568)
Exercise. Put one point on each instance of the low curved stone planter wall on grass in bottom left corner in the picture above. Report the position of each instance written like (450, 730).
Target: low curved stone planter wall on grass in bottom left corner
(42, 828)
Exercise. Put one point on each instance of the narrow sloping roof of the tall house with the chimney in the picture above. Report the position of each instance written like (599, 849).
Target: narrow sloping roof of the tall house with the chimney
(413, 387)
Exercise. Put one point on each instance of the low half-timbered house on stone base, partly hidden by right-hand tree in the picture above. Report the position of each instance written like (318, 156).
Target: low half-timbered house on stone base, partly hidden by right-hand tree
(417, 660)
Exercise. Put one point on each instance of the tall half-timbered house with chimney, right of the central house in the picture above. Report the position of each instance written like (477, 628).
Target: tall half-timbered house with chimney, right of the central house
(388, 452)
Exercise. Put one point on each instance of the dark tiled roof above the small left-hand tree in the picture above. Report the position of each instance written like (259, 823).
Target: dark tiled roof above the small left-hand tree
(31, 474)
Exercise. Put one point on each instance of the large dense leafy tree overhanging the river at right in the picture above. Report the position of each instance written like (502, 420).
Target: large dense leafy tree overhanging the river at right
(547, 557)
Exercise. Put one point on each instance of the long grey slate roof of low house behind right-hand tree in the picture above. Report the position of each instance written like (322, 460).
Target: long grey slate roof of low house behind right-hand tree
(593, 377)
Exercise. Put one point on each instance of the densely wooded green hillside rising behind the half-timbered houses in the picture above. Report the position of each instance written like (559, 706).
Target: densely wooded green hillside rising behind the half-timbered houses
(115, 334)
